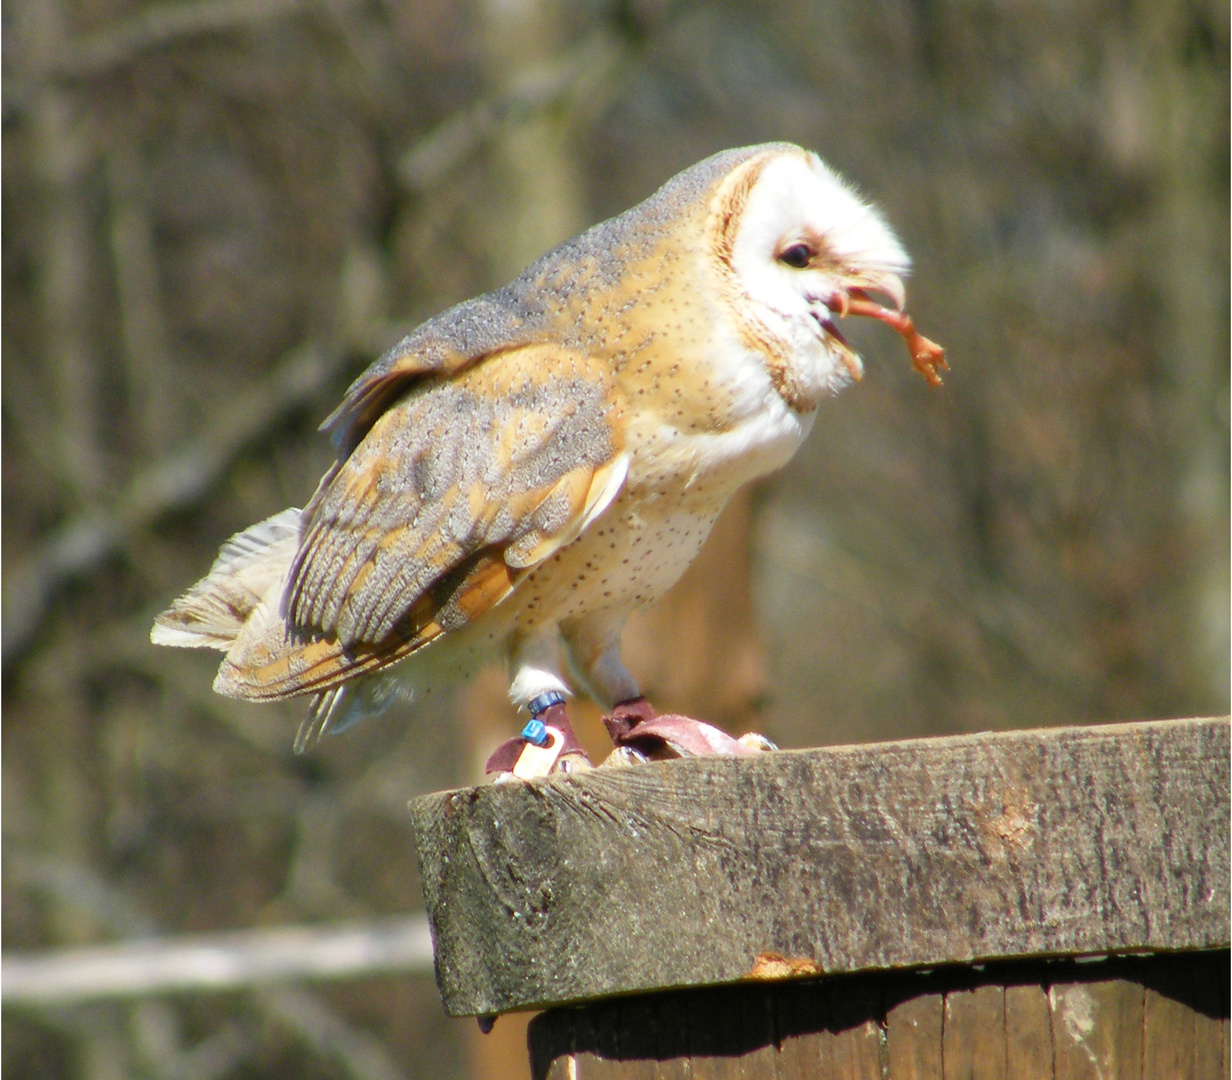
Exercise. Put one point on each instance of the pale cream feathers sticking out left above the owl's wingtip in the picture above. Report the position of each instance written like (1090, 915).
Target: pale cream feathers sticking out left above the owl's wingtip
(246, 581)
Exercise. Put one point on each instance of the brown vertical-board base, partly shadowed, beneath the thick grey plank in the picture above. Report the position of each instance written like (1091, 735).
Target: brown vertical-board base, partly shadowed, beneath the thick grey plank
(1027, 1020)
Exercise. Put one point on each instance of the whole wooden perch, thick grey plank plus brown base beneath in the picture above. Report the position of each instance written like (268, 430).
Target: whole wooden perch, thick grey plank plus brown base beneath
(1048, 903)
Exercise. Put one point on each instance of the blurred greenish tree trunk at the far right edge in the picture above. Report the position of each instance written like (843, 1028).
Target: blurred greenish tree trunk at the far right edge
(1178, 145)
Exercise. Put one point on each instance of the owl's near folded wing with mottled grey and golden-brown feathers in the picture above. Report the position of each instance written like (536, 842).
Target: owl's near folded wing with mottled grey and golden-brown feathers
(458, 490)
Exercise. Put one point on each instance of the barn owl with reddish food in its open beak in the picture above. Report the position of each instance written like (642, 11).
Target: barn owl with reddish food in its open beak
(523, 471)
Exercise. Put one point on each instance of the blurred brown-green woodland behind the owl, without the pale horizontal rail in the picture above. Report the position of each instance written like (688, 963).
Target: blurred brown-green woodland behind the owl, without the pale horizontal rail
(217, 212)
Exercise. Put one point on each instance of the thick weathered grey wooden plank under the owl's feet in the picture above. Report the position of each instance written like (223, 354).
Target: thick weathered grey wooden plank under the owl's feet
(1059, 842)
